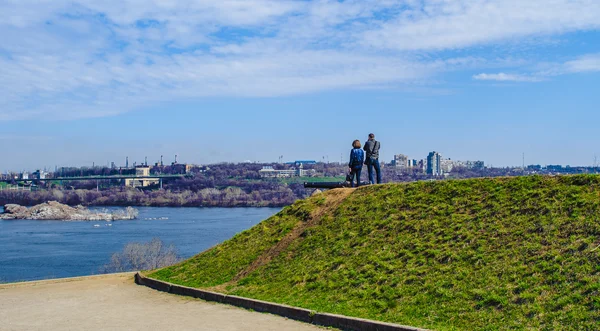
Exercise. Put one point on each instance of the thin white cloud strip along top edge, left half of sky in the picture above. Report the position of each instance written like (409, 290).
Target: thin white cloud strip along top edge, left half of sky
(124, 12)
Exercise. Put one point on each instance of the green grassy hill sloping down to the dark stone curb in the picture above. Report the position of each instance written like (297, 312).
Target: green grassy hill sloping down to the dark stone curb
(508, 253)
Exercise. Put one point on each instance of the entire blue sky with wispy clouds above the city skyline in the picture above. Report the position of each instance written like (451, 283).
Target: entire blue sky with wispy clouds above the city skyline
(86, 82)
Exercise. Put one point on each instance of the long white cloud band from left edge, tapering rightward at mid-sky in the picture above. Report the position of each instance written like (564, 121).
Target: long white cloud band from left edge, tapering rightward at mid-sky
(112, 87)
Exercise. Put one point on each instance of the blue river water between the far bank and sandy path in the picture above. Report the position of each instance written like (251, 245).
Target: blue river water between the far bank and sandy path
(32, 250)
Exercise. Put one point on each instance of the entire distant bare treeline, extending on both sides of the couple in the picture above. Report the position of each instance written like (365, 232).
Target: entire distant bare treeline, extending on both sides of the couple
(223, 185)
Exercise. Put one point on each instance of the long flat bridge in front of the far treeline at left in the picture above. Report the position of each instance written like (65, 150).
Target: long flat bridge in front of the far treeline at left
(130, 180)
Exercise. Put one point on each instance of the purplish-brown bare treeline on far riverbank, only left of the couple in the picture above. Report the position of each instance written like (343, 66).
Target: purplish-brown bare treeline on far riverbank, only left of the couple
(224, 185)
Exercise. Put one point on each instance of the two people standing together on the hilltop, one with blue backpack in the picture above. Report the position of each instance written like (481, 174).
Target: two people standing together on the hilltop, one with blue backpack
(357, 158)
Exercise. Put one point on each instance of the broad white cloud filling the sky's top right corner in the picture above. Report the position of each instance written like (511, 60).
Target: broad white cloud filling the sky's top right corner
(451, 24)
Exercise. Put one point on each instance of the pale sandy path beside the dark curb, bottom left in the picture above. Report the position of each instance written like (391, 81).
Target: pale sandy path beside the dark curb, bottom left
(114, 302)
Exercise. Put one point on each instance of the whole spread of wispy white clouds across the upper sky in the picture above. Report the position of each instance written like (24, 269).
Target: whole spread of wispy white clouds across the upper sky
(66, 59)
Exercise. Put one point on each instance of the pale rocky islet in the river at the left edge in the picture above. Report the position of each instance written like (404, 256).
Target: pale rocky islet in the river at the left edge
(53, 210)
